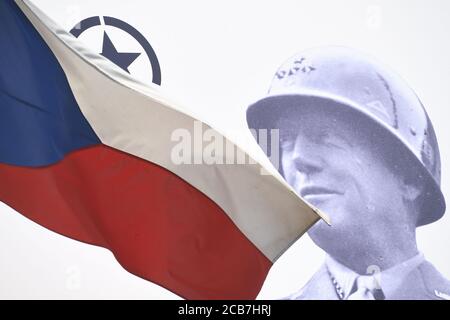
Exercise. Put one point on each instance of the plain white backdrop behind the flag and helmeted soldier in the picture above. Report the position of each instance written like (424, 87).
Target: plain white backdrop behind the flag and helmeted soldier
(218, 57)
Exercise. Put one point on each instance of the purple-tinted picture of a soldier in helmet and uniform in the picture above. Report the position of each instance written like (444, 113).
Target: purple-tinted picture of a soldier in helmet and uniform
(357, 143)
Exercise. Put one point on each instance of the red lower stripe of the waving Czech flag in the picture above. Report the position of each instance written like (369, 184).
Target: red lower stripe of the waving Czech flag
(157, 225)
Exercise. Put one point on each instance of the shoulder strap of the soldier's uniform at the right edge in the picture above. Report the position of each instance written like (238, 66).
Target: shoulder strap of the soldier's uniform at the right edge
(437, 285)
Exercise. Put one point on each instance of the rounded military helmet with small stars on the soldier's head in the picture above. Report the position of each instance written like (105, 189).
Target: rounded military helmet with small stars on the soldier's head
(345, 78)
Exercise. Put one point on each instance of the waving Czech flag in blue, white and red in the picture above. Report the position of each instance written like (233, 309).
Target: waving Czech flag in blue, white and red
(85, 151)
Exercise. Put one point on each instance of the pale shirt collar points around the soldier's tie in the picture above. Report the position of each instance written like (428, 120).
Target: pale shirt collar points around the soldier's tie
(389, 280)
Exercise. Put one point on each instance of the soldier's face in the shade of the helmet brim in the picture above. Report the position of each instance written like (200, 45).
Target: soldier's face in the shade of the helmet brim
(332, 166)
